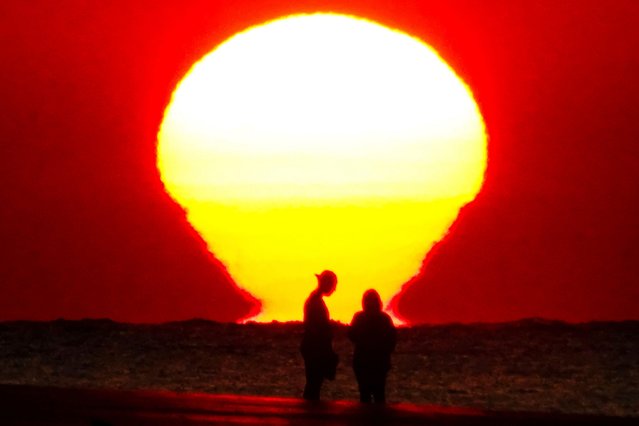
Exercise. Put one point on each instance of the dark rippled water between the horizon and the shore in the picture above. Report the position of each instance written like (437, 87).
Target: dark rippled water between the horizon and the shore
(528, 365)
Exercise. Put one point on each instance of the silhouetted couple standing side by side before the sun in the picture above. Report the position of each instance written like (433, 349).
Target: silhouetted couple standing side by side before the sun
(371, 331)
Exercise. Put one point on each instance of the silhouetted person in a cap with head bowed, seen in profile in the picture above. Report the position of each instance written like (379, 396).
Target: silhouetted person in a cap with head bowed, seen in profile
(320, 361)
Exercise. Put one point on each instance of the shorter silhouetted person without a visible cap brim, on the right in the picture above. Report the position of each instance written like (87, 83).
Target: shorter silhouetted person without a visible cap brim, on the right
(374, 336)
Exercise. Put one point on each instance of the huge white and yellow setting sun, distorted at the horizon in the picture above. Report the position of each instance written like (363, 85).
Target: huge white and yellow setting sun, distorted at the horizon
(319, 142)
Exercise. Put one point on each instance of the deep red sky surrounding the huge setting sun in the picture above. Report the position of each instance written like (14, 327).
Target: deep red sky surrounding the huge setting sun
(87, 230)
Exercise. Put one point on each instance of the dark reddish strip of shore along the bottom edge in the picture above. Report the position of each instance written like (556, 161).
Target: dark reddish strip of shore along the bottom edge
(31, 405)
